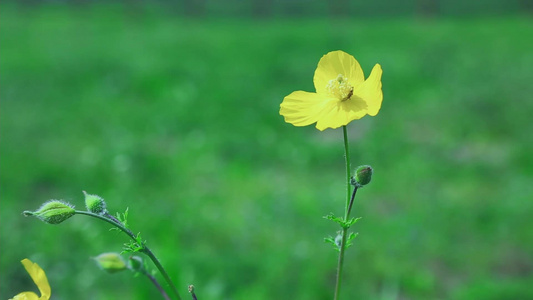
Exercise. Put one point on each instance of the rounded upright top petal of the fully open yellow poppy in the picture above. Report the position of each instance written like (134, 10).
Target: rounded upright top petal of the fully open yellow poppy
(333, 64)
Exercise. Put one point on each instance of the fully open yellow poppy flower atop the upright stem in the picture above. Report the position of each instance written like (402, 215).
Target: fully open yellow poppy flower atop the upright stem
(342, 94)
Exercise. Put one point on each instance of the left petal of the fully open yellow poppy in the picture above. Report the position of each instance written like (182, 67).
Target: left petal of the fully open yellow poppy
(303, 108)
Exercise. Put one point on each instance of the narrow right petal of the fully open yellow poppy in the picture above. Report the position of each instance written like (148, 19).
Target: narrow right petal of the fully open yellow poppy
(370, 91)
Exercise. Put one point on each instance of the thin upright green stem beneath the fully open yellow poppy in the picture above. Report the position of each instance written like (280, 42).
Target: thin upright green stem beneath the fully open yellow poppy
(349, 201)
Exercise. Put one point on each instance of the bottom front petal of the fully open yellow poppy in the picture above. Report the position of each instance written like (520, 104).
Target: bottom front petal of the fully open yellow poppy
(338, 114)
